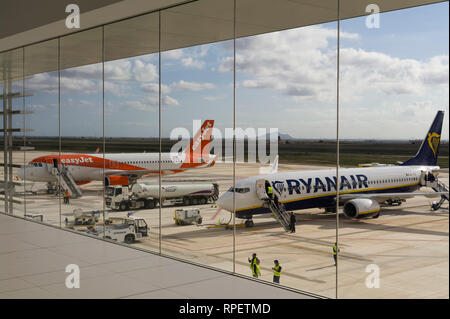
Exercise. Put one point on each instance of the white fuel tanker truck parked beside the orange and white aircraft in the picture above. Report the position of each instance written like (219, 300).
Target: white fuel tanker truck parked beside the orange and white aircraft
(145, 195)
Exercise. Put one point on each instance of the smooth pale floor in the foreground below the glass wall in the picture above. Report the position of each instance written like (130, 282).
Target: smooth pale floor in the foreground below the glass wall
(34, 257)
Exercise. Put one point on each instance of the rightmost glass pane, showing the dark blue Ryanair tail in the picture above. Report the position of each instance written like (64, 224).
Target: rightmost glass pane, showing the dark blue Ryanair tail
(394, 80)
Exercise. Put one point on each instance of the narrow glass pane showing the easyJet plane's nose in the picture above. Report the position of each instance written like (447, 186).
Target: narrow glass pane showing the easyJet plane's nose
(42, 140)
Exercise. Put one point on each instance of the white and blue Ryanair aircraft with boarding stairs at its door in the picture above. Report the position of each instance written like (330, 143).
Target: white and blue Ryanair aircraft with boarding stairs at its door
(361, 190)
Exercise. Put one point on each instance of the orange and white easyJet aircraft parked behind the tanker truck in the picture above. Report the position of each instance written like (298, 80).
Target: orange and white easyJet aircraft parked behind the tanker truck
(122, 168)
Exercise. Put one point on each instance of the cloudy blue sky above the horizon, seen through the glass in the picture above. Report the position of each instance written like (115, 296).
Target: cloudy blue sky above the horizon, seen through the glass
(392, 82)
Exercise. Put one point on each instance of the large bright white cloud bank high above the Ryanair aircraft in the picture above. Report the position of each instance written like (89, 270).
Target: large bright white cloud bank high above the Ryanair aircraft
(301, 64)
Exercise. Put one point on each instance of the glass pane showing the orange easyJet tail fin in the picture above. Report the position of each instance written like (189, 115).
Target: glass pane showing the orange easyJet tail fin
(197, 113)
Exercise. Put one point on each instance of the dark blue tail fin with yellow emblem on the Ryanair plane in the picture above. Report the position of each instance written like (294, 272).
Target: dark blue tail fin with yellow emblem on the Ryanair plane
(429, 150)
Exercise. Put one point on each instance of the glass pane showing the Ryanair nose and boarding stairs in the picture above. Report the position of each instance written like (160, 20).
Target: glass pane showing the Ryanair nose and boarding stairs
(286, 108)
